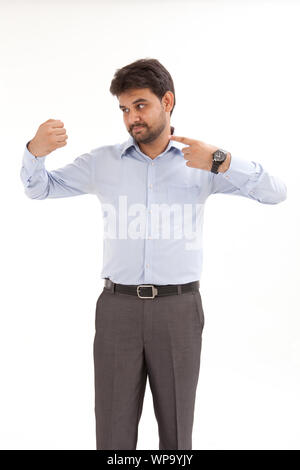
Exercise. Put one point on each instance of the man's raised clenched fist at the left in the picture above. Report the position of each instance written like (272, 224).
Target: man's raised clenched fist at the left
(50, 136)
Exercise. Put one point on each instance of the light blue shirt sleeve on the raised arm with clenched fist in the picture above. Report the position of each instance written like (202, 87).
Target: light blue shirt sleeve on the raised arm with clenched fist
(74, 179)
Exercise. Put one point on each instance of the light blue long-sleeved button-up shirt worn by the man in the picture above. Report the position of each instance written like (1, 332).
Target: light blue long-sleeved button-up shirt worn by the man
(143, 244)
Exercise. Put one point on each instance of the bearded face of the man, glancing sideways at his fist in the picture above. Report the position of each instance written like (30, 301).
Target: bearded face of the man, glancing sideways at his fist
(144, 115)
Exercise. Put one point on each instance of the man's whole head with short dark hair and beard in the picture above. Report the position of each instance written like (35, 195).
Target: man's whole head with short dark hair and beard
(146, 95)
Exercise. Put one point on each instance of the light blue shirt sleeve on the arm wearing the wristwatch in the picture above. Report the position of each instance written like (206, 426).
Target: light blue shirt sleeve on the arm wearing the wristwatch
(251, 180)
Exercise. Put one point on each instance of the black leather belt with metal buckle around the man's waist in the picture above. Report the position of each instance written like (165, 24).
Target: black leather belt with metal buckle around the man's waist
(149, 291)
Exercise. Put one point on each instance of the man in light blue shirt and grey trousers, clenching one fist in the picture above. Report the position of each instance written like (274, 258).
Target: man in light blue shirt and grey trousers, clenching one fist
(149, 315)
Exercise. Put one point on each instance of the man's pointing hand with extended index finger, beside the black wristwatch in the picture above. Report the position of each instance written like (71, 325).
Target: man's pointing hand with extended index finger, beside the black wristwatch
(199, 154)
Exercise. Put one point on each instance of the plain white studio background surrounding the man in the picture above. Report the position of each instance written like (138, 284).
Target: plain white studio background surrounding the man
(236, 72)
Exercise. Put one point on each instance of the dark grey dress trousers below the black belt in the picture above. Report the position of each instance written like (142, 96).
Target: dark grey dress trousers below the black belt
(135, 338)
